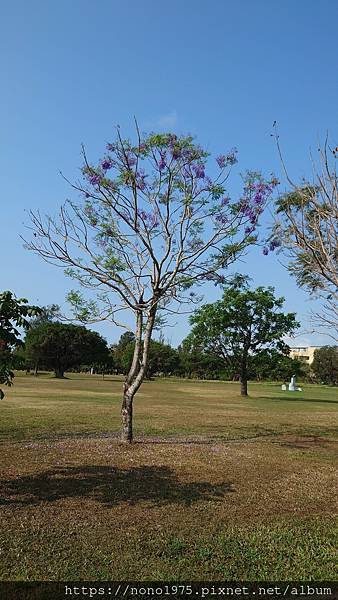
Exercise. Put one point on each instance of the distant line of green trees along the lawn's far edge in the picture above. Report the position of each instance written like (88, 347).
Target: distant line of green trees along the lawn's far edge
(243, 330)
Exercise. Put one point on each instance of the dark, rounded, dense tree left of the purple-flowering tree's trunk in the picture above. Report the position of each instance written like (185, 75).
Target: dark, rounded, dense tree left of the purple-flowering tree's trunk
(60, 346)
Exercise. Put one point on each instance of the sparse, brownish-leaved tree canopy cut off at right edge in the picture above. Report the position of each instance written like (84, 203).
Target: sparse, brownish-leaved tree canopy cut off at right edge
(307, 228)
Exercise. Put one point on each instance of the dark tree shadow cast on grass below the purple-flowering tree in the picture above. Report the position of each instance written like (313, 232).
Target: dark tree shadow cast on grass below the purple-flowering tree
(109, 486)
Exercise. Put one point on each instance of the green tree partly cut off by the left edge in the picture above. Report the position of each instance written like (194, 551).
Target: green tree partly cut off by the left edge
(14, 314)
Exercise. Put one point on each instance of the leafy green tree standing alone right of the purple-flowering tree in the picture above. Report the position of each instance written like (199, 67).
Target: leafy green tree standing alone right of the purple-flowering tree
(241, 324)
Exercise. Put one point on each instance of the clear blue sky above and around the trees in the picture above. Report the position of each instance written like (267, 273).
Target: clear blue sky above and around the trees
(221, 70)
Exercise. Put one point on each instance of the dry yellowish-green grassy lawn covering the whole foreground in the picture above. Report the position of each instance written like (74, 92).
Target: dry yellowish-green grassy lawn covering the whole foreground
(215, 487)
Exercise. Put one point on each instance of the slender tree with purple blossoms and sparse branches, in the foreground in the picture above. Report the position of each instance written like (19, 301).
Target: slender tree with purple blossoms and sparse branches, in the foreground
(151, 225)
